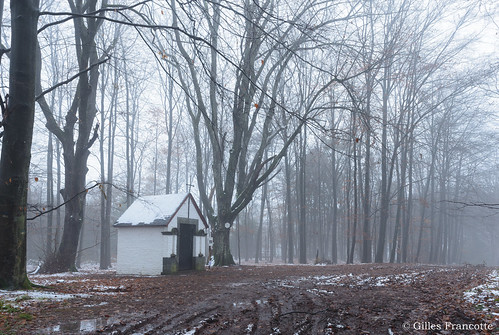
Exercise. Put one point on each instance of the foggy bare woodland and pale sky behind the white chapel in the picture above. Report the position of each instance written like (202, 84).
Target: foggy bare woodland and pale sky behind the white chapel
(318, 132)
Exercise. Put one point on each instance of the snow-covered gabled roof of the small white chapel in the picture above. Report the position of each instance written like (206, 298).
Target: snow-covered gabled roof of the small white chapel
(155, 210)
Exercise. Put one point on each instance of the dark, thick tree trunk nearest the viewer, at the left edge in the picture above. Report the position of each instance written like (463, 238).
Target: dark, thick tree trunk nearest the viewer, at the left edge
(18, 122)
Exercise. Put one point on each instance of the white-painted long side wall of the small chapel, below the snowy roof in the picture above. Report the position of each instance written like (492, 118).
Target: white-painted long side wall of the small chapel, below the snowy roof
(141, 250)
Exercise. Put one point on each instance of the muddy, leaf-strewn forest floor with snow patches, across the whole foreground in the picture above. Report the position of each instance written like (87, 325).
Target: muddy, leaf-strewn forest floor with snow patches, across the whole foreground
(285, 299)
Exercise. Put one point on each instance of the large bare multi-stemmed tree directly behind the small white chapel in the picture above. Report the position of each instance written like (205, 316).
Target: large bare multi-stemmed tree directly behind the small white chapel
(264, 61)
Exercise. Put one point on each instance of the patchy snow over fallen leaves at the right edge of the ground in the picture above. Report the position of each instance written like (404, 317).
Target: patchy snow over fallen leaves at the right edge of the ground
(486, 296)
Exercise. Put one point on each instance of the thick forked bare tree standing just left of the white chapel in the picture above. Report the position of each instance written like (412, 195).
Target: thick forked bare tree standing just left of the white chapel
(80, 118)
